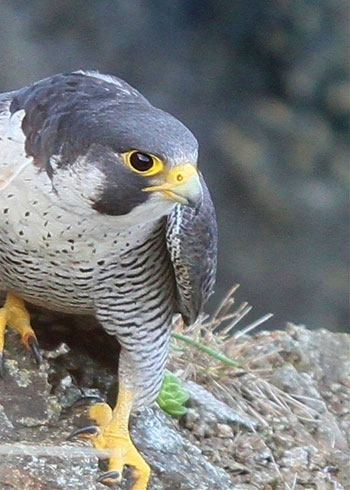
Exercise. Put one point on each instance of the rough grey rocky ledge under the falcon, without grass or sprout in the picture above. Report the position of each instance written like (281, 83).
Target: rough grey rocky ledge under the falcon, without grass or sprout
(301, 438)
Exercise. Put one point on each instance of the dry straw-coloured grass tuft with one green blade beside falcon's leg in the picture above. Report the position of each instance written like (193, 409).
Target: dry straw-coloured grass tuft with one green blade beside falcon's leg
(217, 351)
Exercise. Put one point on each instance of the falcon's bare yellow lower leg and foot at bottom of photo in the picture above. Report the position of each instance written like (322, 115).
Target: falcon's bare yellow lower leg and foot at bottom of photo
(113, 436)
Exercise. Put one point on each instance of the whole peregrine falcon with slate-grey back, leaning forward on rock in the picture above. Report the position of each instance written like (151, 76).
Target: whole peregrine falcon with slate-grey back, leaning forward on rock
(103, 211)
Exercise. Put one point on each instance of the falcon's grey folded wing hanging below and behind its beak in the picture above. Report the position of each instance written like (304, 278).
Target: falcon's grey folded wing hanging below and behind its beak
(192, 243)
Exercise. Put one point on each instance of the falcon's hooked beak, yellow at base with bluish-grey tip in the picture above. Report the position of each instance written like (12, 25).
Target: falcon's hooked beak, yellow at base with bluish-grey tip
(182, 185)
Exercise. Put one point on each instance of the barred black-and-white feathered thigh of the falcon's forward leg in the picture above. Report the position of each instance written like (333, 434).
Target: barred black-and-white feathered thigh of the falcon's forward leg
(136, 302)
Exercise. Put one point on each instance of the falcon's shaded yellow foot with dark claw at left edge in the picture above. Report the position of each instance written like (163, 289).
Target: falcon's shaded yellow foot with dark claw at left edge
(15, 315)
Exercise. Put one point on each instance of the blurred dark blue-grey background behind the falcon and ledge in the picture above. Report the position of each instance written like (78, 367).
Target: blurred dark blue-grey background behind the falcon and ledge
(263, 85)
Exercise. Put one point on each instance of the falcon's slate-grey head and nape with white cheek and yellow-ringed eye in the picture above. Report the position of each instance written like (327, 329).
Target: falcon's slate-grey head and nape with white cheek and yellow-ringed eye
(106, 149)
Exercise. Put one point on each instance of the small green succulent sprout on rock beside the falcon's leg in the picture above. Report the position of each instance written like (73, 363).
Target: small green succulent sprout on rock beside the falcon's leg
(173, 396)
